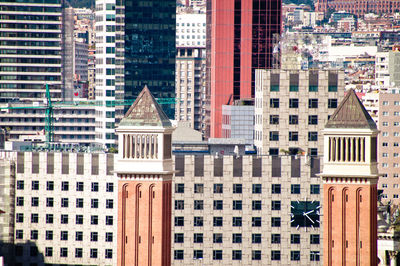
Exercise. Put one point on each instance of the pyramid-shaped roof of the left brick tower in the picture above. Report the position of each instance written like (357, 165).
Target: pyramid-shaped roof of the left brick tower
(145, 111)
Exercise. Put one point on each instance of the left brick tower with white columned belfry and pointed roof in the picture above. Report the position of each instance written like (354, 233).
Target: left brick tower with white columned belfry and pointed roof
(144, 170)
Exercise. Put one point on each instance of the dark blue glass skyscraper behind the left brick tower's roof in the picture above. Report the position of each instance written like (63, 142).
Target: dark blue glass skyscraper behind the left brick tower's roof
(150, 49)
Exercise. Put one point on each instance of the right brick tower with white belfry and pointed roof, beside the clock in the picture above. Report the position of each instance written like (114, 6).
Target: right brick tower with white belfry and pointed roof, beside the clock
(350, 177)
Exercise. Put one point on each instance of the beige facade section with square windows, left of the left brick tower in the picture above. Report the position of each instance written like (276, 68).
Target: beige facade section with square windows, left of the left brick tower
(65, 209)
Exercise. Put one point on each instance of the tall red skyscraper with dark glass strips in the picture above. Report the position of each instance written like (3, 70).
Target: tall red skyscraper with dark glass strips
(239, 40)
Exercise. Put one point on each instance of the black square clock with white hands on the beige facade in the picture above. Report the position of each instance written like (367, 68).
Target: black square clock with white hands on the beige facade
(304, 214)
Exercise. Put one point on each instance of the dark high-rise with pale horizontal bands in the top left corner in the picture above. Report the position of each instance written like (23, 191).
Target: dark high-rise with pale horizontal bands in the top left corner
(31, 46)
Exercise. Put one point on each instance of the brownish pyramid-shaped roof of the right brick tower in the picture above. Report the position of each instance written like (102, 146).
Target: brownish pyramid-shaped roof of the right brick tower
(351, 114)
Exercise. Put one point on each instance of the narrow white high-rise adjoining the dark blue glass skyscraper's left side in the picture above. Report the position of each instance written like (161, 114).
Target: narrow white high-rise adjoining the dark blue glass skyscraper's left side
(109, 67)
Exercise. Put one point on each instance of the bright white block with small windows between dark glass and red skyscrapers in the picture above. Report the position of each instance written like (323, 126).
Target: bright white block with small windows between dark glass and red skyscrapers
(191, 30)
